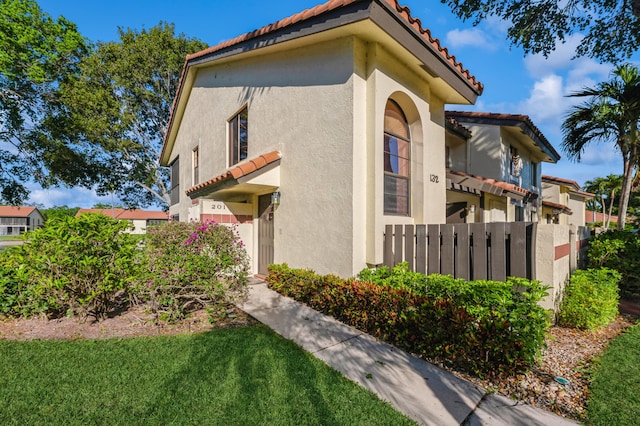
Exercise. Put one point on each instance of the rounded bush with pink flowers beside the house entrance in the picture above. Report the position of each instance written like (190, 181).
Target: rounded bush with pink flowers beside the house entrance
(193, 266)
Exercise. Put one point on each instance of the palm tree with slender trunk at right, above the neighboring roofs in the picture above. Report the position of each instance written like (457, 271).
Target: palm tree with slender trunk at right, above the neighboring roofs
(612, 114)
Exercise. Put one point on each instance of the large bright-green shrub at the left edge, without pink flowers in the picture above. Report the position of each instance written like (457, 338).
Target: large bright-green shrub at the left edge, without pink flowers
(72, 266)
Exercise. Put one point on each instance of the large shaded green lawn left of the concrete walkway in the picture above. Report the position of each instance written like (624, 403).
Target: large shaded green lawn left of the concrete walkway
(239, 376)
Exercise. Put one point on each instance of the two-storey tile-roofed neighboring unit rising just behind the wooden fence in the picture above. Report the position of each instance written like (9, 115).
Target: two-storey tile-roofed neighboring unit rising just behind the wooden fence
(494, 167)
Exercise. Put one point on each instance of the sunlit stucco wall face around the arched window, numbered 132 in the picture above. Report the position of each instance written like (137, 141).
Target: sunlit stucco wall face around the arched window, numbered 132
(388, 78)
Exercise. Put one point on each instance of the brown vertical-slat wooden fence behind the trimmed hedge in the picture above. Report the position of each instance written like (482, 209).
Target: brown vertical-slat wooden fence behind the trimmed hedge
(472, 251)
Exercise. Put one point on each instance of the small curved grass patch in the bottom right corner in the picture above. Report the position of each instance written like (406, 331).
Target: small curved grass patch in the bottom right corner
(615, 391)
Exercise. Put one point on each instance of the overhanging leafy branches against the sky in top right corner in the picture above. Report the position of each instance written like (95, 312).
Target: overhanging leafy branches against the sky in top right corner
(611, 28)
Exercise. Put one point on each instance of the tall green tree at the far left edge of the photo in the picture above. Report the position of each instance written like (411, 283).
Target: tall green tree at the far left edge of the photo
(36, 54)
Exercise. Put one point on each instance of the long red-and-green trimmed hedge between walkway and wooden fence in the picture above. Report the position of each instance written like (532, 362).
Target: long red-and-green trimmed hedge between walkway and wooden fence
(484, 327)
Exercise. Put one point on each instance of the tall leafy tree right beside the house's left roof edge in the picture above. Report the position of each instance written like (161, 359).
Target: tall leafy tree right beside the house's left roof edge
(119, 105)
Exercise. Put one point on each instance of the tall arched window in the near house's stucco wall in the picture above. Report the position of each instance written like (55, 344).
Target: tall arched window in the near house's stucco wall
(397, 150)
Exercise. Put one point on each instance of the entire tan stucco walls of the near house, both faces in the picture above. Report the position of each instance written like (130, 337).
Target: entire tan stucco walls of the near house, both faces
(322, 107)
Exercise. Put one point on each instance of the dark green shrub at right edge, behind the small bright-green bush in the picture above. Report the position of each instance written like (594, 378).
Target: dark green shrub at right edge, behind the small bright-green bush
(618, 250)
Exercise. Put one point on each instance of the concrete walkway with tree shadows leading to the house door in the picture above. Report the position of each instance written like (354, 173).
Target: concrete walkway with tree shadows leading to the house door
(423, 392)
